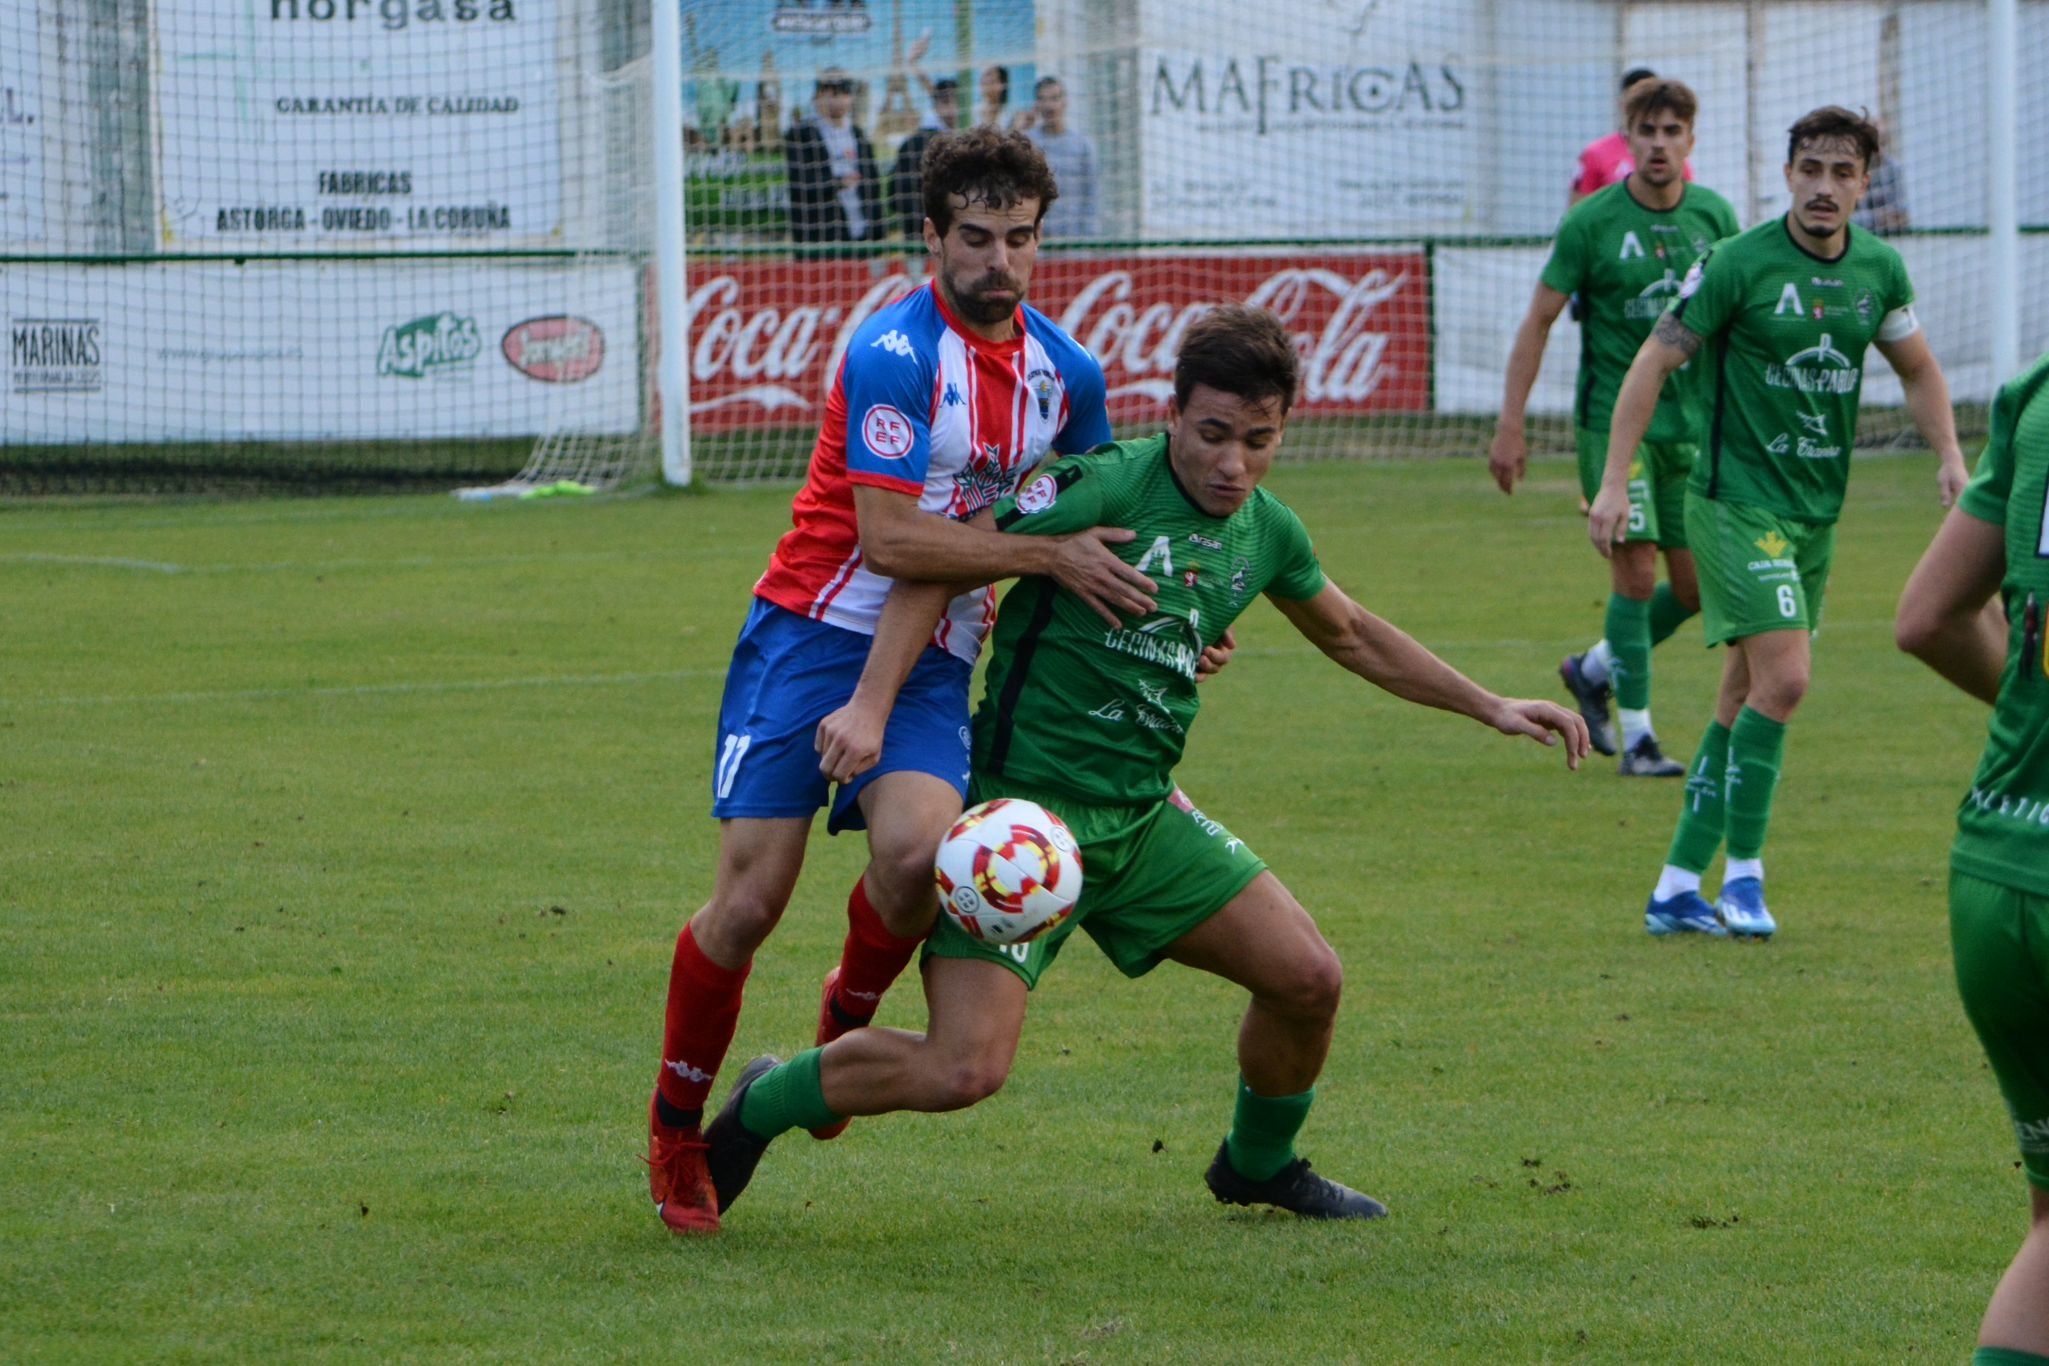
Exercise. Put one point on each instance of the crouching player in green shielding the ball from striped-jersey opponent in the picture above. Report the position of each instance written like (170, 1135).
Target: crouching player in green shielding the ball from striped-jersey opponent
(1091, 724)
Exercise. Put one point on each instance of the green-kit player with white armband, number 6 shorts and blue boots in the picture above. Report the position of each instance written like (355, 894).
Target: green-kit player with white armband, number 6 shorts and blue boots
(1782, 316)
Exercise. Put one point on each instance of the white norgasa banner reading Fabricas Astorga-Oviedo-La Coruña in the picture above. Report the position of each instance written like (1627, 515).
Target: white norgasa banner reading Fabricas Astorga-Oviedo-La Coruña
(358, 124)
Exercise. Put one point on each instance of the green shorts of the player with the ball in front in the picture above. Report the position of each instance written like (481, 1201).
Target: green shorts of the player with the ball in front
(1151, 873)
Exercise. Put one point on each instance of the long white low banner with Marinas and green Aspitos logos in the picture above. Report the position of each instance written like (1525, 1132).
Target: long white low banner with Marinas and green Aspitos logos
(294, 351)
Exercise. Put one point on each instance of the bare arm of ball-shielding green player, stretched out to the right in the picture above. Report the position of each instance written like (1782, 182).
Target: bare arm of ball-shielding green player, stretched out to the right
(1396, 663)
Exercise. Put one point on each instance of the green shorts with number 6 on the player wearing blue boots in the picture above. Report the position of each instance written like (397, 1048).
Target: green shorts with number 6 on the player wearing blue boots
(1759, 570)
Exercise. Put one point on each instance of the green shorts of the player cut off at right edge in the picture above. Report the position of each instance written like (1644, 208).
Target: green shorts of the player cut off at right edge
(2001, 939)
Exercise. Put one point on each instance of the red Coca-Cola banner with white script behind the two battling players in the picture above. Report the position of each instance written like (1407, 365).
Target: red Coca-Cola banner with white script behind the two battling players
(767, 337)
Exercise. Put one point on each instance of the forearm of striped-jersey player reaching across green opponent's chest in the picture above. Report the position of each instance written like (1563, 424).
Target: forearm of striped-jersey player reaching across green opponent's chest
(905, 542)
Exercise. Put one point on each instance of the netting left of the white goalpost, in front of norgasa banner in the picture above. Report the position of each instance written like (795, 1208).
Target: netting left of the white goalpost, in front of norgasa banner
(323, 245)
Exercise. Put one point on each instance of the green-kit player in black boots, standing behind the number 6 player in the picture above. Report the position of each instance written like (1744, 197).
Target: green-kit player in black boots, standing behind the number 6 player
(1624, 251)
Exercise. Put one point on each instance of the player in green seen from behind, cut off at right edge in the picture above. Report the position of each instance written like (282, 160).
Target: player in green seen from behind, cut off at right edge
(1997, 542)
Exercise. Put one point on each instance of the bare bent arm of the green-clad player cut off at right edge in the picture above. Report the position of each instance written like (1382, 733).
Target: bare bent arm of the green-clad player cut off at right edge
(1948, 613)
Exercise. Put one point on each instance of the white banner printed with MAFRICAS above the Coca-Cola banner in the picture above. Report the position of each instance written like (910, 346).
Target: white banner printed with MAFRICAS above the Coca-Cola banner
(1382, 99)
